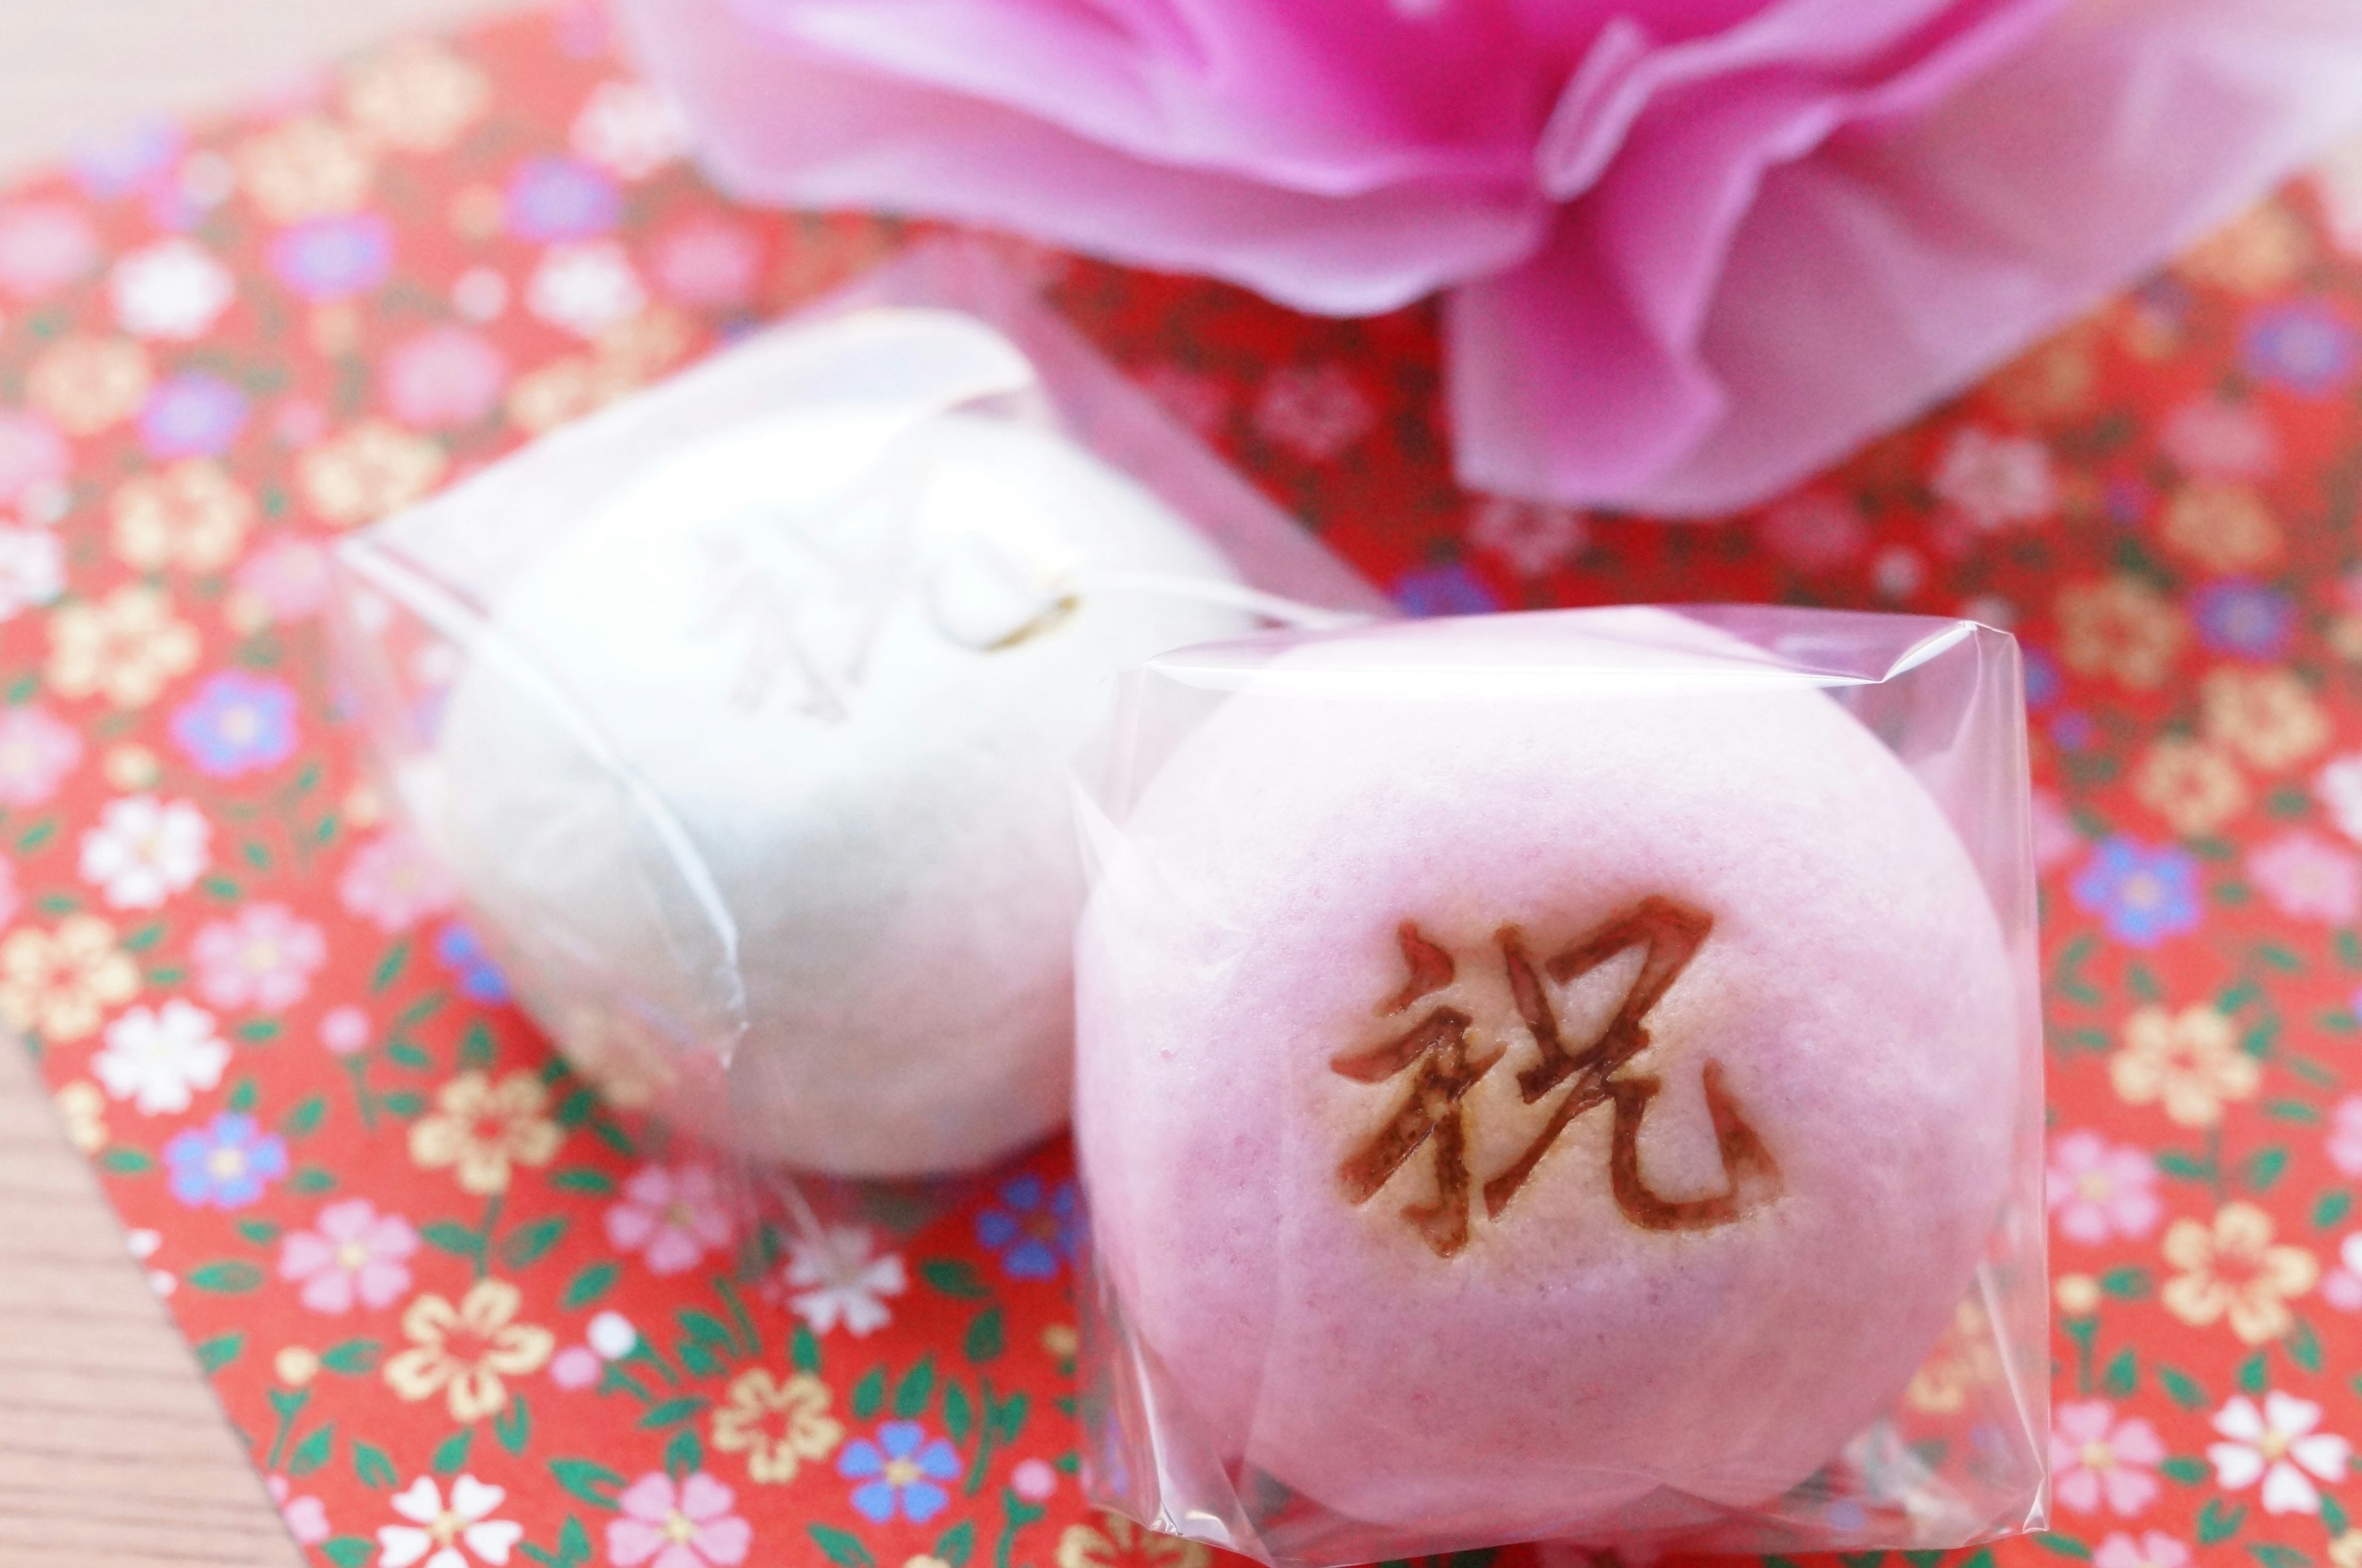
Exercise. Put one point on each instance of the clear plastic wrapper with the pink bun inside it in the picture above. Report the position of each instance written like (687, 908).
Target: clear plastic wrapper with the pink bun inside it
(1567, 1078)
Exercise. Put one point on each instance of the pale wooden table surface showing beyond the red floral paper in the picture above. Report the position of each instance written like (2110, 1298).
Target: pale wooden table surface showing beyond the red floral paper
(112, 1451)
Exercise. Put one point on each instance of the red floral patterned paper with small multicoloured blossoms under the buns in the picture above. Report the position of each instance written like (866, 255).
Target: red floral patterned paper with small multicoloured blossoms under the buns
(452, 1307)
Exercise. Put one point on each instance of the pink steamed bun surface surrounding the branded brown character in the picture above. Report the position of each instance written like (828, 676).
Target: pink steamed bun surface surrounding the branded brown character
(1560, 1364)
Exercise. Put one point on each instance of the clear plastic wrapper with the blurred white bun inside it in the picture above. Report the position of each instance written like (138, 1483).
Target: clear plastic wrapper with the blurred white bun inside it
(743, 710)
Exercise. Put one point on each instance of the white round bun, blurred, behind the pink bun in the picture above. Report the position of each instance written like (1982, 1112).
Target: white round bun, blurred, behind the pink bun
(759, 778)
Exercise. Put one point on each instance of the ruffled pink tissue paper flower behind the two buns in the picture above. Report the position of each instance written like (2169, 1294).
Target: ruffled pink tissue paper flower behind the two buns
(1692, 249)
